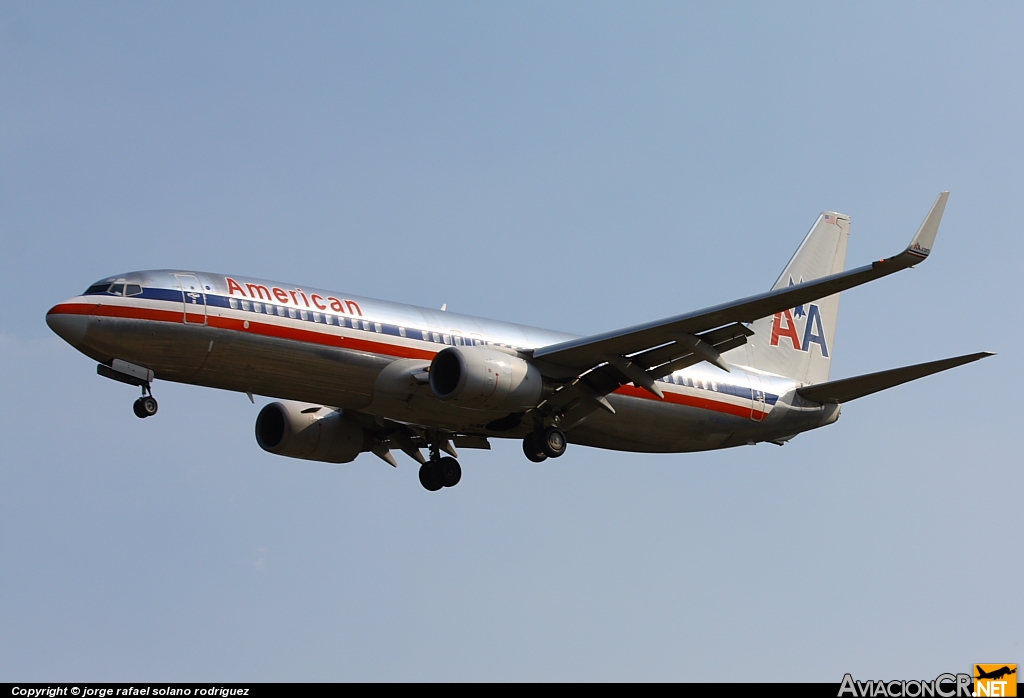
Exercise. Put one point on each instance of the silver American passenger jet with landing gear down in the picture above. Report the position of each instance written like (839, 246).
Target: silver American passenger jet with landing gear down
(354, 375)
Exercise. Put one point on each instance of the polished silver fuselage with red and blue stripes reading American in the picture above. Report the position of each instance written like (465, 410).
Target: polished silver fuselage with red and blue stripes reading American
(346, 352)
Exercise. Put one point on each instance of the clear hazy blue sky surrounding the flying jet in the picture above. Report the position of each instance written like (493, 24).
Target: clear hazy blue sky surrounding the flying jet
(576, 166)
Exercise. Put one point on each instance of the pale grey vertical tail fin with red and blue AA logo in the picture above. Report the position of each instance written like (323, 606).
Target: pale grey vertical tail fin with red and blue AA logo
(799, 342)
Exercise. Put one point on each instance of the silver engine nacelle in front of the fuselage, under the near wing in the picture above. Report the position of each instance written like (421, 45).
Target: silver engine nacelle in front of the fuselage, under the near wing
(485, 378)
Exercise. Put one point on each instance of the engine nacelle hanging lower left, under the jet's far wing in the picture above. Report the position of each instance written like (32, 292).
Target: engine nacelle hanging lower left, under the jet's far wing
(309, 431)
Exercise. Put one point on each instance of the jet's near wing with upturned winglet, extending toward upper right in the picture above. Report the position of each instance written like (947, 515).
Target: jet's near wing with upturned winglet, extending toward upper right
(685, 333)
